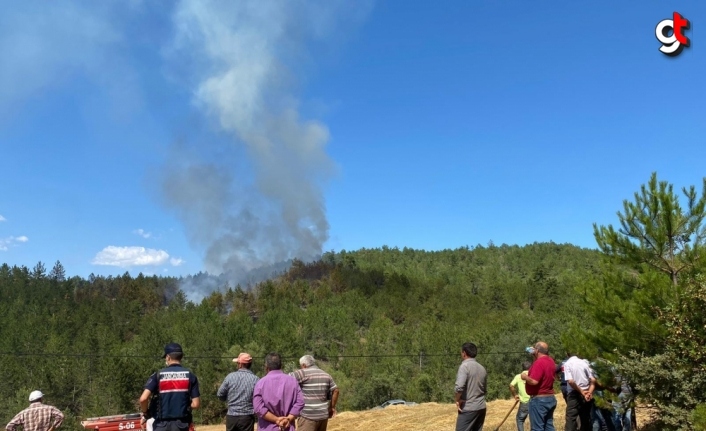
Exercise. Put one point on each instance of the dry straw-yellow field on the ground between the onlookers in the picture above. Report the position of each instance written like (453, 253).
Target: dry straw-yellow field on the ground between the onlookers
(432, 417)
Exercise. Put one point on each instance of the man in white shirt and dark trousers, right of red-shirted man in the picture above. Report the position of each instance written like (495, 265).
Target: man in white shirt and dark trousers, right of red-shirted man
(579, 399)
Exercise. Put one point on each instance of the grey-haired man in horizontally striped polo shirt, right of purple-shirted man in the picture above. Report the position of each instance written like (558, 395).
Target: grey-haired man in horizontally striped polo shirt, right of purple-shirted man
(318, 388)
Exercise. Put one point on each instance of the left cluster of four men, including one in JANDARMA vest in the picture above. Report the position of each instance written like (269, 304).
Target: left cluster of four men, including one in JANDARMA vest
(275, 400)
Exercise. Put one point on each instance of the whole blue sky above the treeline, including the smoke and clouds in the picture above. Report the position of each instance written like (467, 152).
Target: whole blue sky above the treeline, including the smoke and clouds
(207, 136)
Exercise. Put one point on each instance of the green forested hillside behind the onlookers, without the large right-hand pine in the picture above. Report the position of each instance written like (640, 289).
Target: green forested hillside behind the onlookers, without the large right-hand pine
(385, 322)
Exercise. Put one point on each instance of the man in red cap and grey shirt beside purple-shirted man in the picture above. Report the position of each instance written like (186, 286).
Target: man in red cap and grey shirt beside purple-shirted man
(237, 390)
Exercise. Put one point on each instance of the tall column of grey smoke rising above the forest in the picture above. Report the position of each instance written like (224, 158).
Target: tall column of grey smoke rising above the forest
(244, 58)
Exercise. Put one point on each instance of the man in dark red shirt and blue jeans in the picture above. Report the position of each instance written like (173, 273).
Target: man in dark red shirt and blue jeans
(540, 387)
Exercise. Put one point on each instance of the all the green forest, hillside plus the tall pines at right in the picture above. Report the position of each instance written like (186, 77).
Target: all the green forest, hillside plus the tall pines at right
(386, 323)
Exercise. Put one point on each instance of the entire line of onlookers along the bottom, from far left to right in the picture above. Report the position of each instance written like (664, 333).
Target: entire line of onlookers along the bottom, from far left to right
(310, 395)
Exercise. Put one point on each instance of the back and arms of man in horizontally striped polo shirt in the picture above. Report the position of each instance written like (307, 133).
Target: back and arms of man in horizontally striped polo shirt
(316, 386)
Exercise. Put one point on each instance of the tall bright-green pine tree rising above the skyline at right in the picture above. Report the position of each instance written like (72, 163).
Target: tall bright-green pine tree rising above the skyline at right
(658, 240)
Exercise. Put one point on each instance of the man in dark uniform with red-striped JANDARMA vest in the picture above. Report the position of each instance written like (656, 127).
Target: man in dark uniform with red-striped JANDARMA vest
(177, 394)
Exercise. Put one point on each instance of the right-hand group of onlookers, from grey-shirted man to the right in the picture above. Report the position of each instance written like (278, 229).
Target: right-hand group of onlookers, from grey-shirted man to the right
(533, 389)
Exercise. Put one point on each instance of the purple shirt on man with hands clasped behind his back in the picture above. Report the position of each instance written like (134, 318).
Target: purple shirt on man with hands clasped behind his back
(279, 394)
